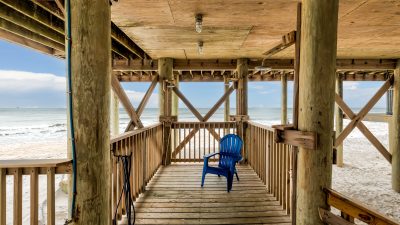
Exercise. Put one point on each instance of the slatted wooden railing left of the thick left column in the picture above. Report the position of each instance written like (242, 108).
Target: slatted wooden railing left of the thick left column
(32, 168)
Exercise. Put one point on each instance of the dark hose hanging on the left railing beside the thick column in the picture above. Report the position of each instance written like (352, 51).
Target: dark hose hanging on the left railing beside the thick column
(126, 188)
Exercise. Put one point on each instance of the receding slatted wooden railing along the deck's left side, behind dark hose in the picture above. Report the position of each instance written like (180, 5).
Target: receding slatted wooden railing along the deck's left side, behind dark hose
(145, 145)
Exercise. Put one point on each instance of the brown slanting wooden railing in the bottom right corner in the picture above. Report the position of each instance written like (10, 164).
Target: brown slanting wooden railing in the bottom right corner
(351, 209)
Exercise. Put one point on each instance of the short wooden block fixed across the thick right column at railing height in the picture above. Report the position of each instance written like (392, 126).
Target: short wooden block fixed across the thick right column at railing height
(288, 135)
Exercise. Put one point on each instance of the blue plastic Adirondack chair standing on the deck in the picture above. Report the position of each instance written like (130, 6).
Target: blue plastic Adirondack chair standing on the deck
(229, 155)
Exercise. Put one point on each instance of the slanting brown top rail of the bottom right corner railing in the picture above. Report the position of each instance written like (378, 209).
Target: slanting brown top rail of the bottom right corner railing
(356, 209)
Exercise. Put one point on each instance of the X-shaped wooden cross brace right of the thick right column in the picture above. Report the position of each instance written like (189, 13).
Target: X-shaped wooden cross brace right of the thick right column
(356, 120)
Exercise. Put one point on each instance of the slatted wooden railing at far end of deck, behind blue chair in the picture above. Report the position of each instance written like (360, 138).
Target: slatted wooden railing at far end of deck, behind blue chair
(190, 141)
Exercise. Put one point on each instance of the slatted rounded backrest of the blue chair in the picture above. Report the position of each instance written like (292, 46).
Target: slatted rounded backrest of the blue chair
(229, 149)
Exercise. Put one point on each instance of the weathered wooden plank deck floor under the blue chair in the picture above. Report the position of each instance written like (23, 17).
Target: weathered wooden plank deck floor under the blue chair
(174, 196)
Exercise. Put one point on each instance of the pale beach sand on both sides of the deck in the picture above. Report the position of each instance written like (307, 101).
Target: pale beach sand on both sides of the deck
(366, 175)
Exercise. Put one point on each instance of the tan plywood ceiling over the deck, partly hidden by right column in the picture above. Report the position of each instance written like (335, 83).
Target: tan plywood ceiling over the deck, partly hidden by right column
(238, 28)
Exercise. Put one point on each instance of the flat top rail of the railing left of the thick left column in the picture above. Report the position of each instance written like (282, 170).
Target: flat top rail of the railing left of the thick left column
(33, 163)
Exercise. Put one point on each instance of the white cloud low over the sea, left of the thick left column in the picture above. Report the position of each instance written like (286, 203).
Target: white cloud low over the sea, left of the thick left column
(23, 82)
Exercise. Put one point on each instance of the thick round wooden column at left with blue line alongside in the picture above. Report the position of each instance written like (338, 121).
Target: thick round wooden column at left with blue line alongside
(91, 69)
